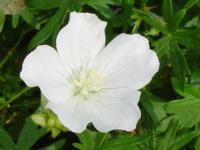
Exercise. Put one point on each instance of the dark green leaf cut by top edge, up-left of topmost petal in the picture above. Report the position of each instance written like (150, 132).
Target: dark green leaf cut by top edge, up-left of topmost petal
(44, 4)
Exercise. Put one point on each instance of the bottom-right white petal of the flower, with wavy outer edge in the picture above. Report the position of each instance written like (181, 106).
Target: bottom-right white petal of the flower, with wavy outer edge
(116, 109)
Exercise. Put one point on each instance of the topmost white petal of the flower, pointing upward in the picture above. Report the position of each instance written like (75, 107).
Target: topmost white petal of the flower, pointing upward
(80, 41)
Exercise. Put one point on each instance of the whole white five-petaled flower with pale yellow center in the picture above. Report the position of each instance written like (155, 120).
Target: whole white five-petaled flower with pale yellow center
(84, 81)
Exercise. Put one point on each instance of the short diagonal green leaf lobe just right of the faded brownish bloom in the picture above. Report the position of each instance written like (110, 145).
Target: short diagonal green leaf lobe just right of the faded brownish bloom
(28, 17)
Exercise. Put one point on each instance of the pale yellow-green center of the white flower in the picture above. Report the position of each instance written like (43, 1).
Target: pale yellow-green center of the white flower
(87, 83)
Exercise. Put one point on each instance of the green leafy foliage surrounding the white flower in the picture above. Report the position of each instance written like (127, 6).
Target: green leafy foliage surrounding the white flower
(170, 104)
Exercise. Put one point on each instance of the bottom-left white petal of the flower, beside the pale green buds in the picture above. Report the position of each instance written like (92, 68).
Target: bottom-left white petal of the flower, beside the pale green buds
(73, 114)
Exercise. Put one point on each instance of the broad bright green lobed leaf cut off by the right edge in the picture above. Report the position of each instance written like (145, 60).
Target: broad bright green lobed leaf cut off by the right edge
(186, 111)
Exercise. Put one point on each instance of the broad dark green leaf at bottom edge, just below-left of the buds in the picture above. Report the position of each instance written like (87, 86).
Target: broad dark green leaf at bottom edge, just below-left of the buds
(29, 135)
